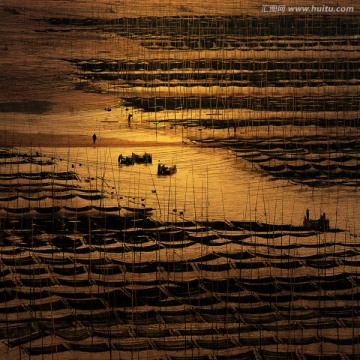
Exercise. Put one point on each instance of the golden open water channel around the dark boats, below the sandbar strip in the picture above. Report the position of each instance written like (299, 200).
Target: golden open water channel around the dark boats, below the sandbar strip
(210, 184)
